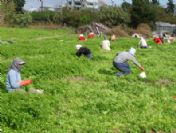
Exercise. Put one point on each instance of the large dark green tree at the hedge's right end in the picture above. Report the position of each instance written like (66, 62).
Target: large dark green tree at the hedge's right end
(142, 12)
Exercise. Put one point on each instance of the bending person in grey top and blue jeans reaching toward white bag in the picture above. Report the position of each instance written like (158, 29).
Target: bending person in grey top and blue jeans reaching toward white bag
(120, 62)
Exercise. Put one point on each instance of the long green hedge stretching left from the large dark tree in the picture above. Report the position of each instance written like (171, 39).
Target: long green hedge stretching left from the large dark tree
(110, 16)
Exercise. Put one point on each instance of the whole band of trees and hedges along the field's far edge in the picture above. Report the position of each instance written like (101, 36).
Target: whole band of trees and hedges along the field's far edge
(130, 14)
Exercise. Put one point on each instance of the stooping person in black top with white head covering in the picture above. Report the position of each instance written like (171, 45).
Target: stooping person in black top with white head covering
(80, 50)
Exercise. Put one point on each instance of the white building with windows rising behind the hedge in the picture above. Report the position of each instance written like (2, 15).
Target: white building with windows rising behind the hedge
(80, 4)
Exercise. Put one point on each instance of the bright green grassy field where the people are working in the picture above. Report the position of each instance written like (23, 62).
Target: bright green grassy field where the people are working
(85, 95)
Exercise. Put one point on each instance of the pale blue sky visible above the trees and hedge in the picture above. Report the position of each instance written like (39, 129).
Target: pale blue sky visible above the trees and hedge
(55, 3)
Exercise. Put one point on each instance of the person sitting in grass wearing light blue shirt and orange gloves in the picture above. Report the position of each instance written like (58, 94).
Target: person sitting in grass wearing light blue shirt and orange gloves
(14, 82)
